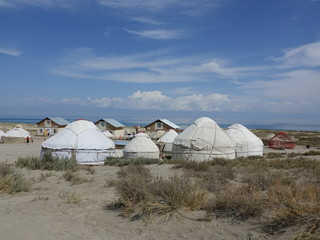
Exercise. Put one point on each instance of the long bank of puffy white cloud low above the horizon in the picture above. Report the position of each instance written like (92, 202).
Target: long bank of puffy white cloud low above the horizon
(215, 102)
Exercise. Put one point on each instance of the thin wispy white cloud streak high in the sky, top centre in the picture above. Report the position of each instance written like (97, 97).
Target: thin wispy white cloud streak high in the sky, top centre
(159, 34)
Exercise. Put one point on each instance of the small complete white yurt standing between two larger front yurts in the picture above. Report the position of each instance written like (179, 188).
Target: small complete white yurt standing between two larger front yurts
(141, 146)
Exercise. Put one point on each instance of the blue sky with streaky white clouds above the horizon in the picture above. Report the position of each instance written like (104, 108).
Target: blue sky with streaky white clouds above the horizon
(237, 61)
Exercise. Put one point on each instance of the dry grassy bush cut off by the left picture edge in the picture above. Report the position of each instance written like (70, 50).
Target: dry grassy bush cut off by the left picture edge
(12, 181)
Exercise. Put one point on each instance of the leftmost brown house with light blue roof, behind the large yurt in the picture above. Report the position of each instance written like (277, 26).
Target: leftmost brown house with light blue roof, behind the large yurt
(51, 125)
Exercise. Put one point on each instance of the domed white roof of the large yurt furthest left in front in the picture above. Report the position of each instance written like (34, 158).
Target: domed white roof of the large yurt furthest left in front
(80, 134)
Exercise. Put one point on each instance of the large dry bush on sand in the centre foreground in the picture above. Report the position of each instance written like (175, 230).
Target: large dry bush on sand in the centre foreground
(149, 196)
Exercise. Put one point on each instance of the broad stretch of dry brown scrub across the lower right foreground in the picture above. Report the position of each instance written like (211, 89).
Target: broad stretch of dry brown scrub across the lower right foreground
(284, 191)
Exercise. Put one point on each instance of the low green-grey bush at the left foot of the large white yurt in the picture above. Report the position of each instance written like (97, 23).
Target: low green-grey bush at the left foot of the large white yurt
(48, 162)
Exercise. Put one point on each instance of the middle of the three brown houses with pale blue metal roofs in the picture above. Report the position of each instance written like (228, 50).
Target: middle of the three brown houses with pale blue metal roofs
(113, 126)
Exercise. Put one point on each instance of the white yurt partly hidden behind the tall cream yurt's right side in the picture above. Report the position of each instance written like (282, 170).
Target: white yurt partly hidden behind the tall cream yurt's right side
(247, 143)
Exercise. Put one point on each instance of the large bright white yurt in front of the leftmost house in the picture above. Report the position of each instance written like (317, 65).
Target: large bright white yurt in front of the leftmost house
(80, 139)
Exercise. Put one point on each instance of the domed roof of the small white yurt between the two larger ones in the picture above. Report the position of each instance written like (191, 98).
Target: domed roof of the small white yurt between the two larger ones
(141, 143)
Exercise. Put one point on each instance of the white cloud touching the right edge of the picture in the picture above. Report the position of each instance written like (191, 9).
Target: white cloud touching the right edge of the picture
(304, 56)
